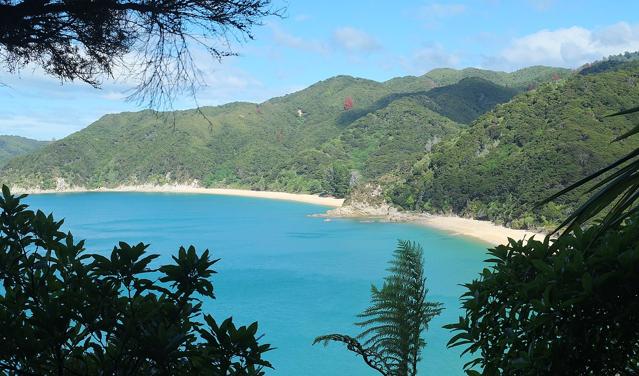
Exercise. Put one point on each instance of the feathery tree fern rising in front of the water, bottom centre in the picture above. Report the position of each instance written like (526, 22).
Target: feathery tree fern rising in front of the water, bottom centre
(395, 322)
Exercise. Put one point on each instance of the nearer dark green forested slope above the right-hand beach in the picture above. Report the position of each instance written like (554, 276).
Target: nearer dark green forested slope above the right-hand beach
(523, 151)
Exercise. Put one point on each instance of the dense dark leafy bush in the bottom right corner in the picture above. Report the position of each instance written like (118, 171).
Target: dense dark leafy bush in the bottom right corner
(567, 308)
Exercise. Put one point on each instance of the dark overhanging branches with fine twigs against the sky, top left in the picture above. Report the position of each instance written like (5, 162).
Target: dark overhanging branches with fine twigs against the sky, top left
(153, 41)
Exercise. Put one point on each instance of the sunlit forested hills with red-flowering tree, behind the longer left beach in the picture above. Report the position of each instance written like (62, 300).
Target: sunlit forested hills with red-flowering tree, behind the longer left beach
(322, 139)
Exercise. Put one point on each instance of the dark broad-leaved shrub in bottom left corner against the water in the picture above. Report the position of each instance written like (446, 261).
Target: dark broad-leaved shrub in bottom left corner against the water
(66, 312)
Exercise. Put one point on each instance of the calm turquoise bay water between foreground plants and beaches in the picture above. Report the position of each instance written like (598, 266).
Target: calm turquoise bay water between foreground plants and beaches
(297, 275)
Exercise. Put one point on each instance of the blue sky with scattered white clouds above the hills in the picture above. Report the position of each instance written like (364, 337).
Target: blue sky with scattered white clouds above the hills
(374, 39)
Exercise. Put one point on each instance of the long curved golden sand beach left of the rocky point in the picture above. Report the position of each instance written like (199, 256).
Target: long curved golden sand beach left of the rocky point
(189, 189)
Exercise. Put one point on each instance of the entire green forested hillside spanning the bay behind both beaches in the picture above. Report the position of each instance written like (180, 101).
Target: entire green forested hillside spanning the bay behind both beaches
(480, 146)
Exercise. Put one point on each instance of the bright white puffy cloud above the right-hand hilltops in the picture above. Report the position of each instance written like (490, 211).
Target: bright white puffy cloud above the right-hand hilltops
(568, 47)
